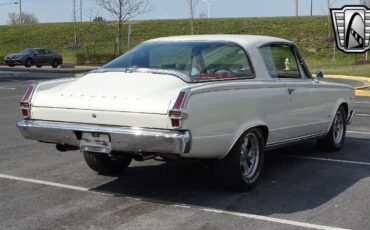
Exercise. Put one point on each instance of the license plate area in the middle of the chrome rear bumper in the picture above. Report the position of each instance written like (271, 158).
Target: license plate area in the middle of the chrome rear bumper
(95, 142)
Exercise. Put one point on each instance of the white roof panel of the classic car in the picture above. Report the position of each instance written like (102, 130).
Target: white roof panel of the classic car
(248, 41)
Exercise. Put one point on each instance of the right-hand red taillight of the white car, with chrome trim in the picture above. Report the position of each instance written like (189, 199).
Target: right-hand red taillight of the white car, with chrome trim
(176, 114)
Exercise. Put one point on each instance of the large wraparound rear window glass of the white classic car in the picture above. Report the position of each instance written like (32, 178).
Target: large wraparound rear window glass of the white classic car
(198, 60)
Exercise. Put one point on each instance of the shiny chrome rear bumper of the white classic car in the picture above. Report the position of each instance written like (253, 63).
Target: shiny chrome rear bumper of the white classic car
(125, 139)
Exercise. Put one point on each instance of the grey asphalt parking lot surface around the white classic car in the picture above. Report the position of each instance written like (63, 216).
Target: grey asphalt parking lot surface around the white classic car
(301, 187)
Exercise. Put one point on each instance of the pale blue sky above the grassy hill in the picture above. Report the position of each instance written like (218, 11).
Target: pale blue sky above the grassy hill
(61, 10)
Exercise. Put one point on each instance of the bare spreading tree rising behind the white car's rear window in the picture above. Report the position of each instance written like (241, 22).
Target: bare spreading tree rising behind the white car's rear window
(123, 11)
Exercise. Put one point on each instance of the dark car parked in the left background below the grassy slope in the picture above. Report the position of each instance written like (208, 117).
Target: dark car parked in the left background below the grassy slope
(34, 56)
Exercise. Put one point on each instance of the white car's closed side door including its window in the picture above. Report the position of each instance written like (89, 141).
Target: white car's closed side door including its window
(307, 111)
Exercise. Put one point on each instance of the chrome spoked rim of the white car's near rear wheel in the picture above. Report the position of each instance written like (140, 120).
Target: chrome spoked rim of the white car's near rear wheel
(249, 155)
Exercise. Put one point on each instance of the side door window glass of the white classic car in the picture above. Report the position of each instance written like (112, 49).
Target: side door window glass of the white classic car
(281, 61)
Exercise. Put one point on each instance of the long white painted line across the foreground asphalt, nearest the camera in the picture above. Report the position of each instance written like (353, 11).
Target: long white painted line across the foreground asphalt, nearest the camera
(219, 211)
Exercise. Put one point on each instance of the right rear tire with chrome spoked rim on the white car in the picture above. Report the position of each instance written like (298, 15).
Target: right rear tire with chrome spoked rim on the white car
(241, 168)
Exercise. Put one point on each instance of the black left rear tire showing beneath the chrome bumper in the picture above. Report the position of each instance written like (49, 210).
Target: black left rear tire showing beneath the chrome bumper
(105, 165)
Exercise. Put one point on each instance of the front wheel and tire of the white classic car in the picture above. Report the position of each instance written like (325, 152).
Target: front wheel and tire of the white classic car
(333, 141)
